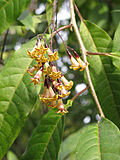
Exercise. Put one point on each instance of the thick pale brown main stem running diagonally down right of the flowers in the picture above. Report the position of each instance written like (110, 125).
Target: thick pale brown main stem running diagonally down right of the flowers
(84, 52)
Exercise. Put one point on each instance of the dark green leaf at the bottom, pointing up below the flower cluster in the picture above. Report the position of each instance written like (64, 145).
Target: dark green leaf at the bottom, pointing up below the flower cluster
(46, 138)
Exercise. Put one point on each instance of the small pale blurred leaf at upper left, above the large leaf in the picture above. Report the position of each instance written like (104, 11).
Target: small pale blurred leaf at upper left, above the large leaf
(26, 19)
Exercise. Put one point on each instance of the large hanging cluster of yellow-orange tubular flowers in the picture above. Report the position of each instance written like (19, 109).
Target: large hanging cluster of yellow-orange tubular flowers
(56, 86)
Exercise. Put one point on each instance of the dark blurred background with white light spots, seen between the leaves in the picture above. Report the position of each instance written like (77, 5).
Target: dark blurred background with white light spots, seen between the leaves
(104, 13)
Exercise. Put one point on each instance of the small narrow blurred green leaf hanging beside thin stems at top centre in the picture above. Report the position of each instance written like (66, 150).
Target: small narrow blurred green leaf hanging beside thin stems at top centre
(49, 14)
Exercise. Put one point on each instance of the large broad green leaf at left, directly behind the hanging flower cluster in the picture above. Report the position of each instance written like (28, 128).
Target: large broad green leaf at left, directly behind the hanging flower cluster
(17, 96)
